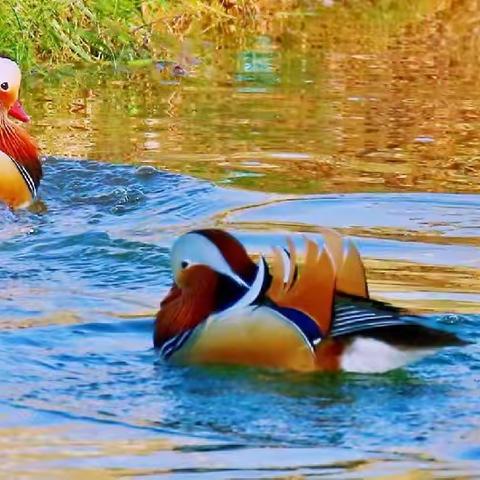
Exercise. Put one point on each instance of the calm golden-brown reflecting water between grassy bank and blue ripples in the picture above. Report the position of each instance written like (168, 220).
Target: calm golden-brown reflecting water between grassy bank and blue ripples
(358, 96)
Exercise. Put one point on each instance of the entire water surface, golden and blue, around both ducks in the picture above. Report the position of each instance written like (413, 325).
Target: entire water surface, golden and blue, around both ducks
(358, 126)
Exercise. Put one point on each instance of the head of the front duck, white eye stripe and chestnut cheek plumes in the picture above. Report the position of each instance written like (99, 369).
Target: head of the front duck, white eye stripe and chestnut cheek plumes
(212, 273)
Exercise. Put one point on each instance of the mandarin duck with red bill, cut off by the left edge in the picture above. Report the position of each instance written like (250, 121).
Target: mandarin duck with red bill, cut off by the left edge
(20, 168)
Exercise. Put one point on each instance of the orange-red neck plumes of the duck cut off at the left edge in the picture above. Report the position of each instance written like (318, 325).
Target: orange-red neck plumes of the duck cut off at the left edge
(18, 145)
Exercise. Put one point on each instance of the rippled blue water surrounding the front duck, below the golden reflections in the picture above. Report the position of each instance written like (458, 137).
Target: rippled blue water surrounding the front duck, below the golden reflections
(84, 393)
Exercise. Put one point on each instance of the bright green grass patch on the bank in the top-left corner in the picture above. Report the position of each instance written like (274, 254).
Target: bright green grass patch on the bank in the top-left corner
(62, 31)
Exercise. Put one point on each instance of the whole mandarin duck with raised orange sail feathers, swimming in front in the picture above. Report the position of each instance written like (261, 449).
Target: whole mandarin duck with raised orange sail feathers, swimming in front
(224, 308)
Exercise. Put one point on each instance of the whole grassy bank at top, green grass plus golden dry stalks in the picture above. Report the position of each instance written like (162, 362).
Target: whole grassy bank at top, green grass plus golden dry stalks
(63, 31)
